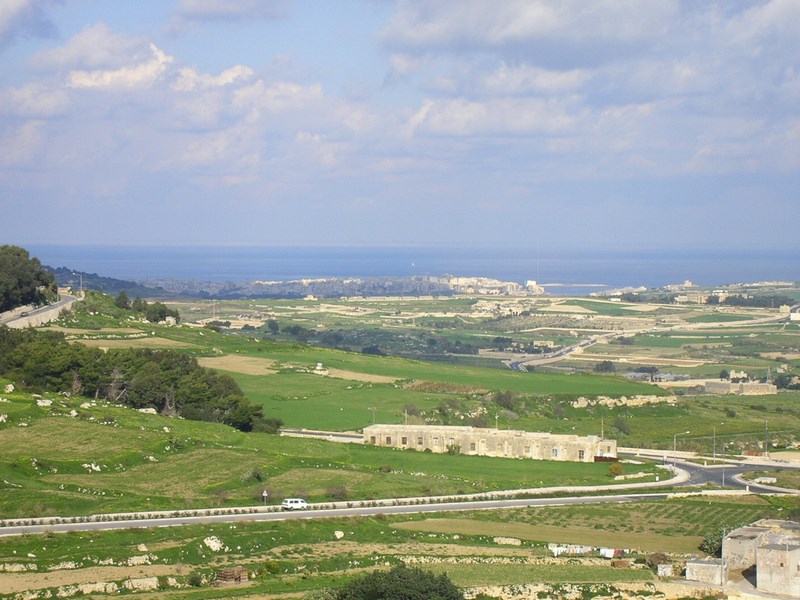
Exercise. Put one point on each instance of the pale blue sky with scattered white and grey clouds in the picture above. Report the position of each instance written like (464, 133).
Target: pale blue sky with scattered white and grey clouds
(615, 124)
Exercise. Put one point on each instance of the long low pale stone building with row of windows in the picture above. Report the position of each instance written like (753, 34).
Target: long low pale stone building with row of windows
(492, 442)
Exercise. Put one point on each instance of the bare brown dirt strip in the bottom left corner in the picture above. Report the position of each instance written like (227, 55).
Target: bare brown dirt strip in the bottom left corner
(21, 582)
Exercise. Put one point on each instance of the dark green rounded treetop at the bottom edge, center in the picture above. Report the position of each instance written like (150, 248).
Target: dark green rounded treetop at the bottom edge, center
(400, 583)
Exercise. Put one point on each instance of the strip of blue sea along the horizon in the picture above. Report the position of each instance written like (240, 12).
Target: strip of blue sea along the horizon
(567, 272)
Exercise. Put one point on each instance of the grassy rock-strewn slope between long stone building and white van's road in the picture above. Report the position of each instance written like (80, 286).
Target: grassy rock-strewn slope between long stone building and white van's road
(74, 458)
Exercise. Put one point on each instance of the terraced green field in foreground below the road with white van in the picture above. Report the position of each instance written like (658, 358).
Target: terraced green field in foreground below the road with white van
(300, 556)
